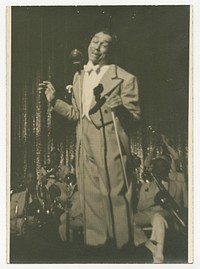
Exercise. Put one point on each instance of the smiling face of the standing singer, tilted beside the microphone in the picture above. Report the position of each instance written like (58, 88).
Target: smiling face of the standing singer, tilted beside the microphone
(99, 48)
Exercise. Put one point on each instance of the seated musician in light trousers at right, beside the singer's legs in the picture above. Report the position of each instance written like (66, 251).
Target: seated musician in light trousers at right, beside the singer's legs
(151, 211)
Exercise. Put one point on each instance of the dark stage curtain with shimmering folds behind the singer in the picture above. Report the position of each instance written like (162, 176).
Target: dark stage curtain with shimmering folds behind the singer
(153, 45)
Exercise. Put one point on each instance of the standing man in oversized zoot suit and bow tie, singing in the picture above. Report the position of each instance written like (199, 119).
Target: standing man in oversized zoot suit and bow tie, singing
(100, 91)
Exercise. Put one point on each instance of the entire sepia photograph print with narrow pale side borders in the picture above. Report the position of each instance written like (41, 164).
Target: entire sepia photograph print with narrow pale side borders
(99, 105)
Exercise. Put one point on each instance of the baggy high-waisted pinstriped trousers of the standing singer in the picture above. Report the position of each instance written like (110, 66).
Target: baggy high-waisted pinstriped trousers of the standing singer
(105, 199)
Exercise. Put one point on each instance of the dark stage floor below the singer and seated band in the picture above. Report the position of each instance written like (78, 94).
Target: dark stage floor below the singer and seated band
(44, 246)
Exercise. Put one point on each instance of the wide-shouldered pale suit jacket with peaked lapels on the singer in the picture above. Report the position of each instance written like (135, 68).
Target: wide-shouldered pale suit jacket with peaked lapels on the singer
(115, 81)
